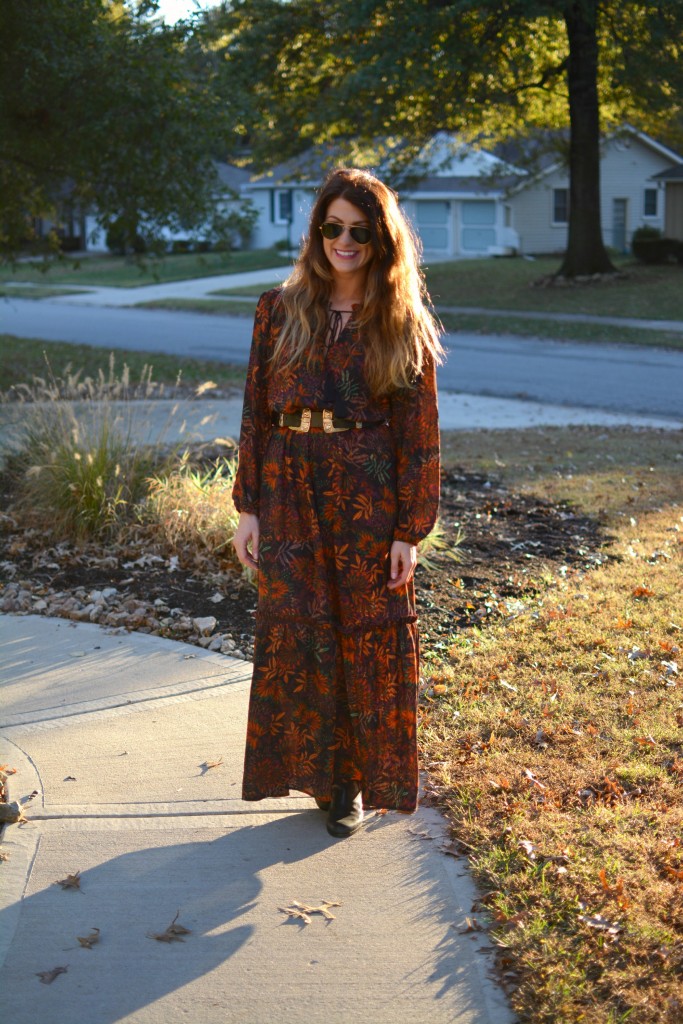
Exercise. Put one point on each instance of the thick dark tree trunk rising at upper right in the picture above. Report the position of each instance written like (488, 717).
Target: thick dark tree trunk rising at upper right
(586, 252)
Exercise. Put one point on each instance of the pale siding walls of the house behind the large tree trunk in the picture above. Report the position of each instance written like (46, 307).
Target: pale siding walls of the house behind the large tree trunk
(626, 168)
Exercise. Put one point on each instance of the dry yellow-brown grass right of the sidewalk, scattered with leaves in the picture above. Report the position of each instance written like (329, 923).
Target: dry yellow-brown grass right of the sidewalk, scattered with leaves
(556, 740)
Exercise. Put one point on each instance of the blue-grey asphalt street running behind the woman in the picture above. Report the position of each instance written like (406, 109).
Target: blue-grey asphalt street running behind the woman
(625, 379)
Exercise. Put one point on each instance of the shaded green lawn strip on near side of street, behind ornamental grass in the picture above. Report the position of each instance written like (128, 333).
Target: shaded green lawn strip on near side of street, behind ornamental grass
(24, 359)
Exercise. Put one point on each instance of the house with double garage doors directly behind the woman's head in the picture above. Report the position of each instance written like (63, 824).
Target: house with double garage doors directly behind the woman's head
(456, 202)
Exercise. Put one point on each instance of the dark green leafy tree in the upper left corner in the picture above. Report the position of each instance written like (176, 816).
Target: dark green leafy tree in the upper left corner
(104, 106)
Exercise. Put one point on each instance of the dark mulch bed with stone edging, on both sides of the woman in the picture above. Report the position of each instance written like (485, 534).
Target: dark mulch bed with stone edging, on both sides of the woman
(508, 541)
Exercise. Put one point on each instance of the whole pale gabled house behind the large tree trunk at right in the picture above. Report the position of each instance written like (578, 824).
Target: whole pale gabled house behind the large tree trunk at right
(632, 195)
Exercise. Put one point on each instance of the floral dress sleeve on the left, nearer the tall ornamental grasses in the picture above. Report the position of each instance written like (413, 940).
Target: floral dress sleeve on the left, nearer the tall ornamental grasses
(255, 415)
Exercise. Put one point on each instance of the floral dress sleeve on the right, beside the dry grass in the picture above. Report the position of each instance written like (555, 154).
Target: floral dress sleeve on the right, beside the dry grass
(415, 425)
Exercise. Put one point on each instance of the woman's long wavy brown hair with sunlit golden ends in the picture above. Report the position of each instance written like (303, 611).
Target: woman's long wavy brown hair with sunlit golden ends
(399, 331)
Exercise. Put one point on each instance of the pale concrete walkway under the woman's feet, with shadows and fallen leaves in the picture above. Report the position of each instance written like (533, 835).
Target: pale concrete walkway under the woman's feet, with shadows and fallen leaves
(113, 734)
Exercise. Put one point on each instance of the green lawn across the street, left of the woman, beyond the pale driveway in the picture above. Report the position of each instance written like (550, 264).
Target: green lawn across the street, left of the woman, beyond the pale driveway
(120, 273)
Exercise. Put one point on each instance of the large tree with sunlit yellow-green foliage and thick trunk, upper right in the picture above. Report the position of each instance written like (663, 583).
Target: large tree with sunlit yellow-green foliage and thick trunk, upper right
(326, 72)
